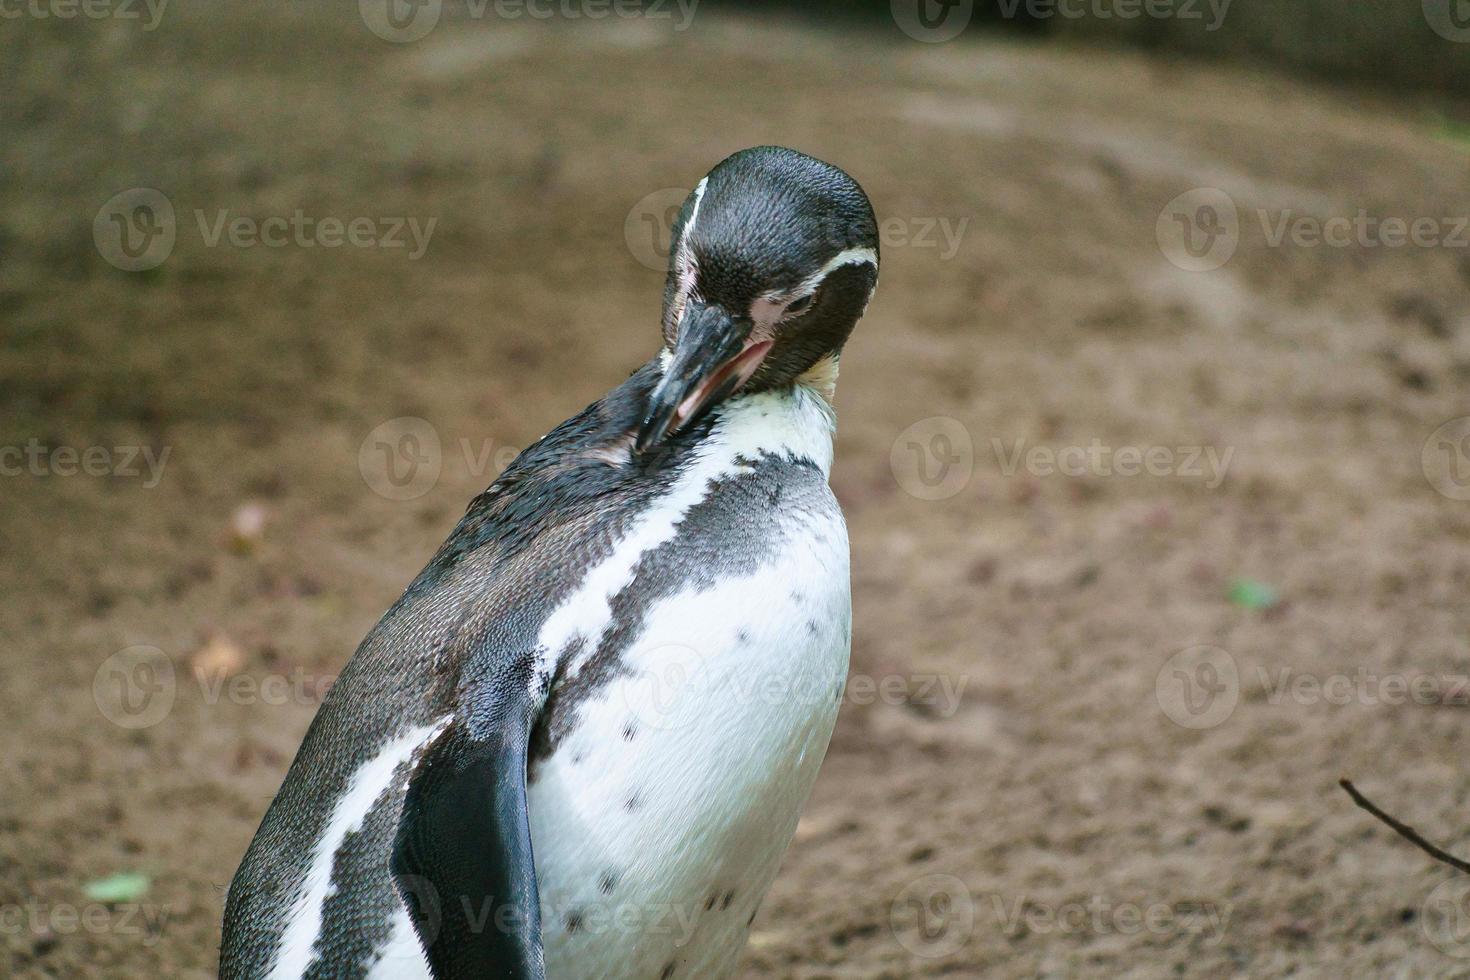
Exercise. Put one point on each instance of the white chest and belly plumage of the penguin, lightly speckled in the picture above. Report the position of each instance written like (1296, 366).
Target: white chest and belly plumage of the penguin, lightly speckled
(662, 818)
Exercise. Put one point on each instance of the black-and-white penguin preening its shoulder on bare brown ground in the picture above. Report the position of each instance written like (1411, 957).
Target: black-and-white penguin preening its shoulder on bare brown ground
(578, 744)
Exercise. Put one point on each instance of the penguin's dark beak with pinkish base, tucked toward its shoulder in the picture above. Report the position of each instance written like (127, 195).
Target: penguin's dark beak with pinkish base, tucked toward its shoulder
(712, 359)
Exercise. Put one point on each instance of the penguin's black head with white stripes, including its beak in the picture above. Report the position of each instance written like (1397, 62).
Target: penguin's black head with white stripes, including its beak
(772, 262)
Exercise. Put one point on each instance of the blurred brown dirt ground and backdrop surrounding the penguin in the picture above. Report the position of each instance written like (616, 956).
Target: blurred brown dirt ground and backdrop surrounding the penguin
(1155, 443)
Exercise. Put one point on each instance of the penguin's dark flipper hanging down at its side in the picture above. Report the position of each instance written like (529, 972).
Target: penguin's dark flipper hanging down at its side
(462, 859)
